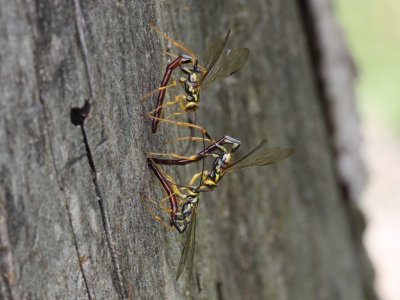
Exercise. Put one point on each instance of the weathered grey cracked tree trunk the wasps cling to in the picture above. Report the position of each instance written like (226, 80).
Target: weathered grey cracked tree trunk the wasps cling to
(72, 223)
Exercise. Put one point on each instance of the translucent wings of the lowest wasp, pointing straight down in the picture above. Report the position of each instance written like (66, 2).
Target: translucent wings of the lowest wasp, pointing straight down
(190, 244)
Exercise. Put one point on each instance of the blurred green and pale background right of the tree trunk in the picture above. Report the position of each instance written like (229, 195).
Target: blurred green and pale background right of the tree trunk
(372, 29)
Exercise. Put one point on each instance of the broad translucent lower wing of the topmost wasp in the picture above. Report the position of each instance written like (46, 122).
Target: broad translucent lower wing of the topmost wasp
(229, 62)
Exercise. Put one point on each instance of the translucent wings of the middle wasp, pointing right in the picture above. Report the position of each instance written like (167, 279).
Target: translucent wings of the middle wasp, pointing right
(261, 155)
